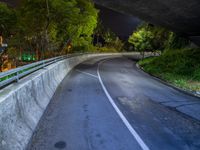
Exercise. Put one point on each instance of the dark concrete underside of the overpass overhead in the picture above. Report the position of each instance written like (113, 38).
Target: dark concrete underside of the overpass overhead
(181, 16)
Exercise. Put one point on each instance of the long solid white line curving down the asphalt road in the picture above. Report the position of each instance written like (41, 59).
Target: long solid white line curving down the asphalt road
(125, 121)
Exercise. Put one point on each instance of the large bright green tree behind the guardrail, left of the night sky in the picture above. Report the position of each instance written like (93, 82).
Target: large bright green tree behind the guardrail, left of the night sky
(50, 26)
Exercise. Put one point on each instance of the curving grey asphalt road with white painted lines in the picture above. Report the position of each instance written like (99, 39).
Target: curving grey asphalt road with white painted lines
(109, 104)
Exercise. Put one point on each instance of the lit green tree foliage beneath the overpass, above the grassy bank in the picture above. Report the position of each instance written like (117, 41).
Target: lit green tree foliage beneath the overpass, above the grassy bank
(151, 38)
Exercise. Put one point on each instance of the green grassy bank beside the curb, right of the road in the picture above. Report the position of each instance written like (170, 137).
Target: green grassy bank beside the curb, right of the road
(179, 67)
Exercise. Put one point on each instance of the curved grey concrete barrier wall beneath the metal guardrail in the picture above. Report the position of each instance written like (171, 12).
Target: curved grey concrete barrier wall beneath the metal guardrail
(22, 104)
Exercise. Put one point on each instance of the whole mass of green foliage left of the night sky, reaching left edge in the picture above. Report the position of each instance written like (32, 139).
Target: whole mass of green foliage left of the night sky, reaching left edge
(49, 25)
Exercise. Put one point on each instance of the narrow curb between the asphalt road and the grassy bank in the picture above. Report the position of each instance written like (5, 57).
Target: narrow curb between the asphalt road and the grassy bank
(169, 84)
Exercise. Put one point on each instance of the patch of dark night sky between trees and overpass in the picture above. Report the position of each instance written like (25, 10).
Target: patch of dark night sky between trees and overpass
(120, 24)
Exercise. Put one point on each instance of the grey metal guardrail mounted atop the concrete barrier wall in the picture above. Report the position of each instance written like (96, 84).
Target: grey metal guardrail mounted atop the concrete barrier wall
(15, 74)
